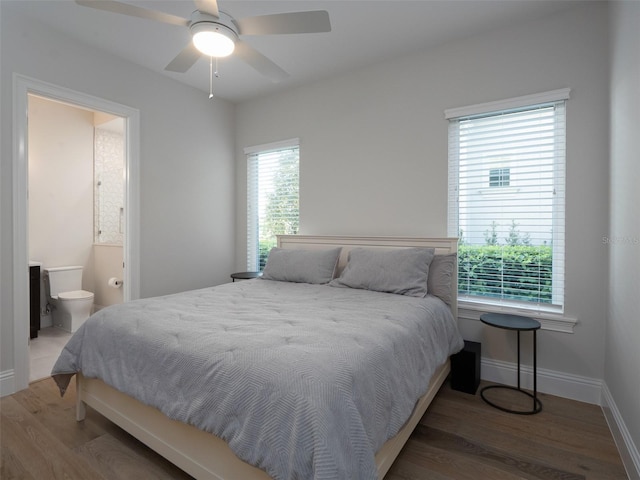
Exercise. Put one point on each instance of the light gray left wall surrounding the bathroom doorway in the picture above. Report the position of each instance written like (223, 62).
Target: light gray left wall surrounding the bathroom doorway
(186, 161)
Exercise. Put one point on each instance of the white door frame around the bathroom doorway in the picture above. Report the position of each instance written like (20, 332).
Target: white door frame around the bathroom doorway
(22, 87)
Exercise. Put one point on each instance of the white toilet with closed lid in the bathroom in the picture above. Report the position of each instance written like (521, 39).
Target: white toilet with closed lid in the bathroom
(71, 305)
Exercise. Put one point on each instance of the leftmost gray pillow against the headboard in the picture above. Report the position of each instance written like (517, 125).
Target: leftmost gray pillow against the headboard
(302, 266)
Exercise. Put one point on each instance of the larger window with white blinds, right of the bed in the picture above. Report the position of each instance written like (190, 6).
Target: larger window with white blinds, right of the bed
(511, 227)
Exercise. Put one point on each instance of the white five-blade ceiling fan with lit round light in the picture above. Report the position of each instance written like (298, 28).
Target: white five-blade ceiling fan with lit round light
(216, 34)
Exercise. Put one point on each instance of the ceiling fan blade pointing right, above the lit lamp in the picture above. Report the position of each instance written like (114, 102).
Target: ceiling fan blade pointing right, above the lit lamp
(281, 23)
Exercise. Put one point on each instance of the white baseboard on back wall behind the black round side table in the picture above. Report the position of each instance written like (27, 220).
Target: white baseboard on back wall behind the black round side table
(583, 389)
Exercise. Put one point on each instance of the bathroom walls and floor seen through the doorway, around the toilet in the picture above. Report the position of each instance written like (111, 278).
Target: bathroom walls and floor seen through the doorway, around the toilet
(76, 212)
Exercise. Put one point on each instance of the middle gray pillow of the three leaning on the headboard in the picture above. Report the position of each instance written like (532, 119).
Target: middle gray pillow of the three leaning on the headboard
(403, 271)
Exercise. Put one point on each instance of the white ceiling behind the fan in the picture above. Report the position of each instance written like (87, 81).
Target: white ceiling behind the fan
(363, 32)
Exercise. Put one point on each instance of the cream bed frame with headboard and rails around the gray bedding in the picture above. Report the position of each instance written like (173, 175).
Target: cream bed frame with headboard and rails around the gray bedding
(205, 456)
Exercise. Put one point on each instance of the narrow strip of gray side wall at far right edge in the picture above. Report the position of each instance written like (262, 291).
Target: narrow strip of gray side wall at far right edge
(622, 372)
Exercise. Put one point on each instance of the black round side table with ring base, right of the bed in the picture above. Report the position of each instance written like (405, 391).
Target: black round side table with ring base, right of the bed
(518, 323)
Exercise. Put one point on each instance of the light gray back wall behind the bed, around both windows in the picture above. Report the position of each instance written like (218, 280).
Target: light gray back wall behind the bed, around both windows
(373, 155)
